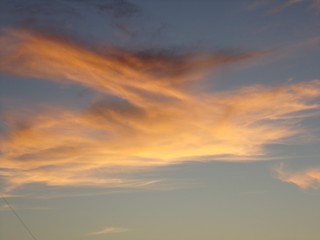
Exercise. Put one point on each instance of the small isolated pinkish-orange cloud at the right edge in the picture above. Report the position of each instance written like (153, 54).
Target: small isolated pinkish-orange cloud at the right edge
(306, 179)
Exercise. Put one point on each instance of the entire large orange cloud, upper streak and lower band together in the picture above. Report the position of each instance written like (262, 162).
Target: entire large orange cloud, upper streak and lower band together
(153, 122)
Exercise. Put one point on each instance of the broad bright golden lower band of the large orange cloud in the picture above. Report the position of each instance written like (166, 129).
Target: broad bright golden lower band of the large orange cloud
(68, 148)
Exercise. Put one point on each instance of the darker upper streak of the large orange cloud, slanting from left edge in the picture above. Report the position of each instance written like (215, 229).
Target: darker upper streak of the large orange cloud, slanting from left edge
(129, 75)
